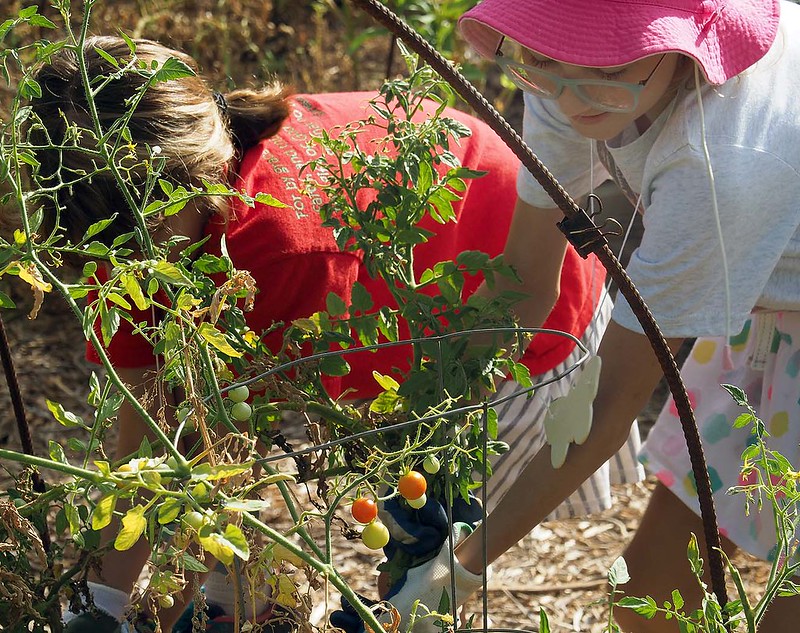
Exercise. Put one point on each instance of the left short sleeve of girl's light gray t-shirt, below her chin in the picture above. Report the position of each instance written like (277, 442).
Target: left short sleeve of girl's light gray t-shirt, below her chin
(565, 153)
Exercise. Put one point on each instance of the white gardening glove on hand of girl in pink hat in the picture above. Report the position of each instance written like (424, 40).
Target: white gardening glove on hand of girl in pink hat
(425, 584)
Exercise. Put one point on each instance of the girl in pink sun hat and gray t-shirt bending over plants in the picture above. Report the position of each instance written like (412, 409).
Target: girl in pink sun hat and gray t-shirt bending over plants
(692, 108)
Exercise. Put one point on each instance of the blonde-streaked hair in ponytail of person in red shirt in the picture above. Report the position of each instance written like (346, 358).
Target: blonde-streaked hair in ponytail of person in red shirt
(198, 139)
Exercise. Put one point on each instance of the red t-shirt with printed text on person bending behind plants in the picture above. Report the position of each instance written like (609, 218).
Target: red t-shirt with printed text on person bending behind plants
(296, 263)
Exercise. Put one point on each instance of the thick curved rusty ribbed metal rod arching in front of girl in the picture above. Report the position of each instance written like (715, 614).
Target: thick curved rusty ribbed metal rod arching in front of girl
(593, 242)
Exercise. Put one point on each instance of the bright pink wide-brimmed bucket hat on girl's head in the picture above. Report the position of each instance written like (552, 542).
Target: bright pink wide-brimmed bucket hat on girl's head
(724, 37)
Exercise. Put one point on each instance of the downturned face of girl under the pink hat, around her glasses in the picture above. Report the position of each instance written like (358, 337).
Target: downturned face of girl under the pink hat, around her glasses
(593, 122)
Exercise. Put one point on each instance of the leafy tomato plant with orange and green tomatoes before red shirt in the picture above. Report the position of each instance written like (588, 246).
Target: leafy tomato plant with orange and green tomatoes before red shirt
(184, 489)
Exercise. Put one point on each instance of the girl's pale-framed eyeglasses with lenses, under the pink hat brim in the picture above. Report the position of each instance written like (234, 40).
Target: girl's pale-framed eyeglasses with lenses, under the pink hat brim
(602, 94)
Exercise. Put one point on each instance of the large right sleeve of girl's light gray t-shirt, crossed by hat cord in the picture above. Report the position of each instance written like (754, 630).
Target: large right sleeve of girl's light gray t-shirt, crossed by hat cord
(678, 267)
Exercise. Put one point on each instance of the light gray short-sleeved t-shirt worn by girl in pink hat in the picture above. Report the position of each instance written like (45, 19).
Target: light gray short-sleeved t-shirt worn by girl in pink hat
(753, 137)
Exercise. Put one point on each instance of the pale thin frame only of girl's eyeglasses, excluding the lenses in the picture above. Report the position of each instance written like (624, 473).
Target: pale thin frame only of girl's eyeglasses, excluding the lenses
(562, 82)
